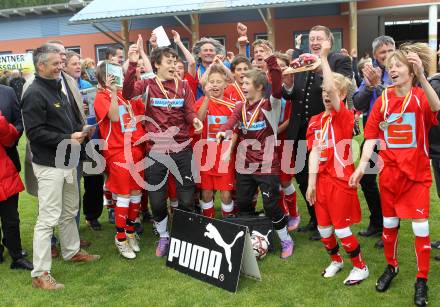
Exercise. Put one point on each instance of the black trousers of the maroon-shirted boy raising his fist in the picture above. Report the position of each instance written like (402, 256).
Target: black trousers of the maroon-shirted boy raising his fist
(246, 187)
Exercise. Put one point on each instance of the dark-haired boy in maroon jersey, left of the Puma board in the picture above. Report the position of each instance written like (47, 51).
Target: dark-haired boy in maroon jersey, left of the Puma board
(170, 108)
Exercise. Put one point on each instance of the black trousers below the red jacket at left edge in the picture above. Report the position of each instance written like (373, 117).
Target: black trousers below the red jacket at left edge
(11, 227)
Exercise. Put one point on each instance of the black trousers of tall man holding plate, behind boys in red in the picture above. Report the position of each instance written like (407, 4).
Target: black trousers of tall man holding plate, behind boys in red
(302, 176)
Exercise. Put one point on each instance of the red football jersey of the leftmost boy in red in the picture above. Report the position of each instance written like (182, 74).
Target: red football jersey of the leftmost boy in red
(114, 132)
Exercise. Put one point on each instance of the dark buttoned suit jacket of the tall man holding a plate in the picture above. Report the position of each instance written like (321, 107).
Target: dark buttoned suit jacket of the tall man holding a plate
(306, 96)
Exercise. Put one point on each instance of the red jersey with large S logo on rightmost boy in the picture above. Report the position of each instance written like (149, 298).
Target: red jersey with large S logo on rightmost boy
(406, 136)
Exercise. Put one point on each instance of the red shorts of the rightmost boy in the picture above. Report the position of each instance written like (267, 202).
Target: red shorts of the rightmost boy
(401, 197)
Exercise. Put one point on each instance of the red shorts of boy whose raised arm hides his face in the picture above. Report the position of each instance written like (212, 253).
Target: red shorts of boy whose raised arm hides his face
(335, 205)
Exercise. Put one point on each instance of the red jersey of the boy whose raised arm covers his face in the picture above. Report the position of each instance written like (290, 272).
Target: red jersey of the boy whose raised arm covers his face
(334, 131)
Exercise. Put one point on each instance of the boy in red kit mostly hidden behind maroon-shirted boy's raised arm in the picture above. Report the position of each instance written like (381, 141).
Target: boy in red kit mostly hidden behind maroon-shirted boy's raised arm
(287, 190)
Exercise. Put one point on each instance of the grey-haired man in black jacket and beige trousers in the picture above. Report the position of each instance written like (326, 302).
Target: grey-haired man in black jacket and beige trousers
(54, 129)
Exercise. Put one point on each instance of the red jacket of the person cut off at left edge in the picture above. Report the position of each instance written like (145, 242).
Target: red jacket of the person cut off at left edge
(10, 182)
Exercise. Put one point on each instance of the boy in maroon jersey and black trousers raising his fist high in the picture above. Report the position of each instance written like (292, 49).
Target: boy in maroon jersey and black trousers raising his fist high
(259, 166)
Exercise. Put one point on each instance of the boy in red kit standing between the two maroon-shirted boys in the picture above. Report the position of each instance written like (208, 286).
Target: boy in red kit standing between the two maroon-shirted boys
(214, 110)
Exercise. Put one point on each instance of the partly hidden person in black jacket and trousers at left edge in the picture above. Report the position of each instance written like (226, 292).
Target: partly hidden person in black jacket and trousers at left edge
(9, 108)
